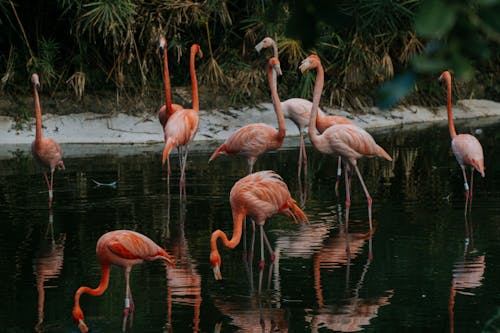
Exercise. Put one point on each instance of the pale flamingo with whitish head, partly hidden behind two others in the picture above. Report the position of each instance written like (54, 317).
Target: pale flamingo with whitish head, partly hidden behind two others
(298, 111)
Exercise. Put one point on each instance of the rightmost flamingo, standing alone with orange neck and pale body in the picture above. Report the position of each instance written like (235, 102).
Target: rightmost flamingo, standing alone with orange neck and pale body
(467, 149)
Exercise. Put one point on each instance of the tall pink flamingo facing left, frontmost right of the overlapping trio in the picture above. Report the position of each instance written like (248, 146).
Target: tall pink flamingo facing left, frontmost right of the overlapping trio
(350, 141)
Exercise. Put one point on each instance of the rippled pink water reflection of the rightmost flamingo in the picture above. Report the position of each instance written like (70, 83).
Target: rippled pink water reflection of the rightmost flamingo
(468, 272)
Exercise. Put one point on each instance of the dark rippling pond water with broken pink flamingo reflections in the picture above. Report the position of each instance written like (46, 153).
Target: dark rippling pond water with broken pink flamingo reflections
(432, 270)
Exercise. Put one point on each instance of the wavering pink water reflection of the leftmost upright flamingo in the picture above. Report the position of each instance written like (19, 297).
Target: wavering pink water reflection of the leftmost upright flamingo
(47, 266)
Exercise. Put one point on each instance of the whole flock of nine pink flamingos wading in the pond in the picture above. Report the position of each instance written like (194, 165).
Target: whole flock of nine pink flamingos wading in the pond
(258, 195)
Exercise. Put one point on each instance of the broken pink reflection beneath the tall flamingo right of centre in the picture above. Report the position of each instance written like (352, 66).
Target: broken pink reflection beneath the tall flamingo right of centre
(354, 311)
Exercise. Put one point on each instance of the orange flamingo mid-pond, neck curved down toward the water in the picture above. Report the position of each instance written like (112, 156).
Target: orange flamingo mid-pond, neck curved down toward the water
(259, 195)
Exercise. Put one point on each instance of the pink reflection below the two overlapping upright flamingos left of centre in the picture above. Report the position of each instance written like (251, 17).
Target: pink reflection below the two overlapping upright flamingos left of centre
(183, 280)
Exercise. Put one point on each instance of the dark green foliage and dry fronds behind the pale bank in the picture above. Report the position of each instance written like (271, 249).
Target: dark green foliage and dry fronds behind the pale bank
(373, 51)
